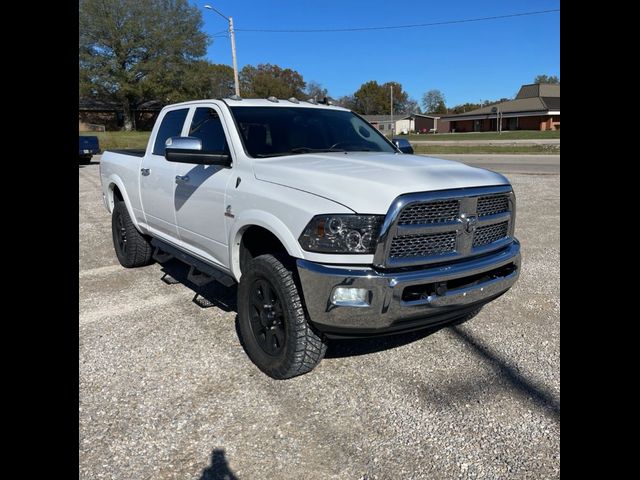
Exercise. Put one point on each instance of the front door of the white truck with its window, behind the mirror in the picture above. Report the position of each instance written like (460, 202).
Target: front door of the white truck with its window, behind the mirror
(199, 199)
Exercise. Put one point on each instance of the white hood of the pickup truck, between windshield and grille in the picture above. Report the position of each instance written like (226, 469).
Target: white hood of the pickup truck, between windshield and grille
(368, 182)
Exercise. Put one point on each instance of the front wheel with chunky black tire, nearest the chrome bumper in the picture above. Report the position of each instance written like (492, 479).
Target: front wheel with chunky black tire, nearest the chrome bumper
(272, 322)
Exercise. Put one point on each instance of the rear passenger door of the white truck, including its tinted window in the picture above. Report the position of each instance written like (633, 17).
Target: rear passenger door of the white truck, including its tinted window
(157, 178)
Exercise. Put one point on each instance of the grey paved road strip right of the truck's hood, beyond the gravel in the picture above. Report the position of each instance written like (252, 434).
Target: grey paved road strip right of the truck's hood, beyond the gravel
(531, 164)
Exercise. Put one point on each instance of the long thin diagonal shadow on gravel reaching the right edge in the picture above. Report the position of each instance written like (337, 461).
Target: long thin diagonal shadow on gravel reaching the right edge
(536, 393)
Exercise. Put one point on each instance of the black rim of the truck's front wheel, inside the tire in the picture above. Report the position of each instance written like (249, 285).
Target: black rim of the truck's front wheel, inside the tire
(267, 318)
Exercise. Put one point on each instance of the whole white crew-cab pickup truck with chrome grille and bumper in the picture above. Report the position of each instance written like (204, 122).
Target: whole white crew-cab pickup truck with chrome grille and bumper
(330, 230)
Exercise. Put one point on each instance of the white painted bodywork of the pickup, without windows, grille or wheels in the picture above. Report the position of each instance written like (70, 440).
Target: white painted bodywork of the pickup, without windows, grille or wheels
(281, 194)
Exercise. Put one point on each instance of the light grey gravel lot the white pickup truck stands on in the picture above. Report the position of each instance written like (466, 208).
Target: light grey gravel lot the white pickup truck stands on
(166, 390)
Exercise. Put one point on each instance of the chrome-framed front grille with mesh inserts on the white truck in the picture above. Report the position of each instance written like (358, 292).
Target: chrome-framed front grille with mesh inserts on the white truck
(430, 227)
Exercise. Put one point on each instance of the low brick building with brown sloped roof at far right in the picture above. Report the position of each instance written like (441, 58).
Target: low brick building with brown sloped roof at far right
(536, 107)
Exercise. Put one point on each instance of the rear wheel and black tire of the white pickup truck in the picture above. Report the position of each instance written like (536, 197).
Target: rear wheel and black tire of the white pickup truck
(132, 248)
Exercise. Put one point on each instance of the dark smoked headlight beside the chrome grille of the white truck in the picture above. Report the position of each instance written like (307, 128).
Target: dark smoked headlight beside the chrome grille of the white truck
(342, 233)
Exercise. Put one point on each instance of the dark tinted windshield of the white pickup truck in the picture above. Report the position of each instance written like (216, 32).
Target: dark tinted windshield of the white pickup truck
(275, 131)
